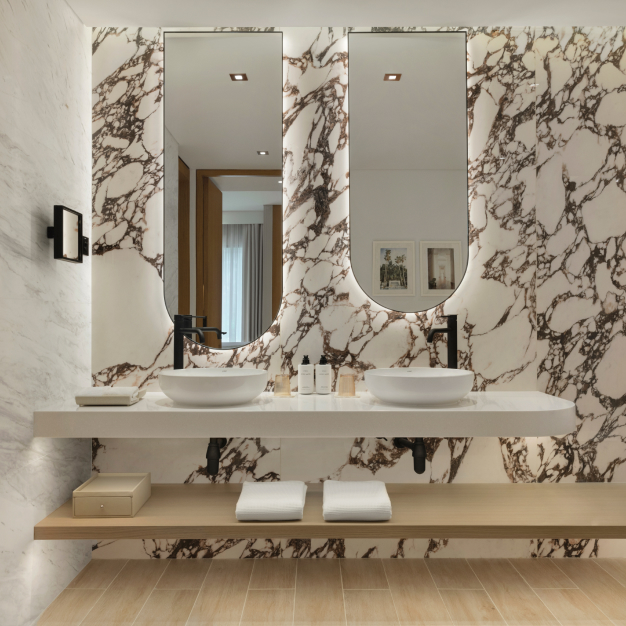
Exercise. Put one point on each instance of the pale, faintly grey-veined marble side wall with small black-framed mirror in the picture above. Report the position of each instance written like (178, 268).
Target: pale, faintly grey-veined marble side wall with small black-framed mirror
(45, 305)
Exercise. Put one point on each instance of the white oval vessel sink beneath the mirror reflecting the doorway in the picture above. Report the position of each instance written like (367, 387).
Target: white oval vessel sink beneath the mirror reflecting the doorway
(212, 386)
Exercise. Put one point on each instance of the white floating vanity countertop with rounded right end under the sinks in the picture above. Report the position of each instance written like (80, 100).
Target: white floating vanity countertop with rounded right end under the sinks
(480, 414)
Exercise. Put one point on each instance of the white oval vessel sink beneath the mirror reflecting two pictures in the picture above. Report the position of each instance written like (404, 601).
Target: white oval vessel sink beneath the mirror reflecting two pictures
(419, 386)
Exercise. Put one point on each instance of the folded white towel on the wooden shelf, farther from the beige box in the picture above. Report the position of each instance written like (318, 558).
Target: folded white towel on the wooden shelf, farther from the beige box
(356, 501)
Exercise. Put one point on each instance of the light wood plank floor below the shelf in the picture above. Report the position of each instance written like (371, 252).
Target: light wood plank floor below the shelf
(518, 592)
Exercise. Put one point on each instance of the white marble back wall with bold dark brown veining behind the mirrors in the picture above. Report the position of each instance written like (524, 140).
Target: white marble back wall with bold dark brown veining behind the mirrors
(541, 306)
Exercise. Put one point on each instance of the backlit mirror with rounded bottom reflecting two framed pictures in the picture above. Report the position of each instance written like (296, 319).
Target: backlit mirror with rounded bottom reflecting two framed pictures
(408, 166)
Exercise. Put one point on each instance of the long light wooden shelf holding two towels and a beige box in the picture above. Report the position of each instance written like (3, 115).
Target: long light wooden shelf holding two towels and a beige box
(584, 510)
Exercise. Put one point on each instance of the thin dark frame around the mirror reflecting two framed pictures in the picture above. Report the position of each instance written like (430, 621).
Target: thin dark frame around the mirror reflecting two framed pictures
(350, 214)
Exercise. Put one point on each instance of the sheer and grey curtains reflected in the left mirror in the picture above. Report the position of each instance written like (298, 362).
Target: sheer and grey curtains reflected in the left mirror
(242, 282)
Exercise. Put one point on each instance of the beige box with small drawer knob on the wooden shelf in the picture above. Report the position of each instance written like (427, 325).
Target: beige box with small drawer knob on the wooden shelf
(112, 495)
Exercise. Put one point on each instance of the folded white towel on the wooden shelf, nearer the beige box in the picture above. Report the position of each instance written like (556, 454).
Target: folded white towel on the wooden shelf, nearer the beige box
(271, 502)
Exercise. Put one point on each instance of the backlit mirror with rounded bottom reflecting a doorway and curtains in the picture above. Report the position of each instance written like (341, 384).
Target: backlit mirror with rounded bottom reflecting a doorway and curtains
(223, 180)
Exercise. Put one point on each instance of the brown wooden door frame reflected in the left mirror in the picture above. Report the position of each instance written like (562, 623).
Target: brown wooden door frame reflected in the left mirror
(209, 246)
